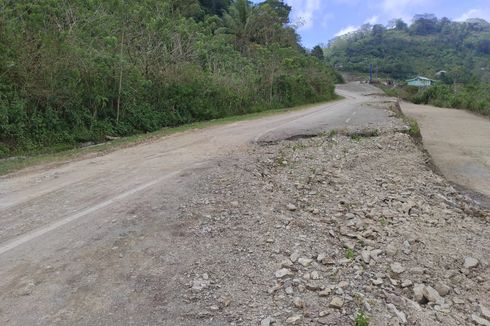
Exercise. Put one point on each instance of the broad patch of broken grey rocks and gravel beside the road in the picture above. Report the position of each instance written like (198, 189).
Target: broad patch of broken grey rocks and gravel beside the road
(365, 232)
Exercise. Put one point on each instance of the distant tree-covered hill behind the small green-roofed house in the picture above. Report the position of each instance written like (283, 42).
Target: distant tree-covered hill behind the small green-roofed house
(426, 47)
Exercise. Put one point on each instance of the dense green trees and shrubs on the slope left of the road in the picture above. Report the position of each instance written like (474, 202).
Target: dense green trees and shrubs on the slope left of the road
(77, 71)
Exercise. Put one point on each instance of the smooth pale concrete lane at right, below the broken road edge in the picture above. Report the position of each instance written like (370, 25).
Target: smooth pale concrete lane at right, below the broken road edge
(459, 143)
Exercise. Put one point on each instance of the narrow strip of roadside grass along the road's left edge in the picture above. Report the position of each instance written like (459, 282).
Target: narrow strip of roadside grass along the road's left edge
(62, 154)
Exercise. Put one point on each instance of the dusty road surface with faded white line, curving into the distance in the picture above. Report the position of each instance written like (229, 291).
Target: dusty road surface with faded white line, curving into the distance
(80, 243)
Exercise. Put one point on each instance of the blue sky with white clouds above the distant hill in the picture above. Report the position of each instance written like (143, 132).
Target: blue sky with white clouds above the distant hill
(319, 21)
